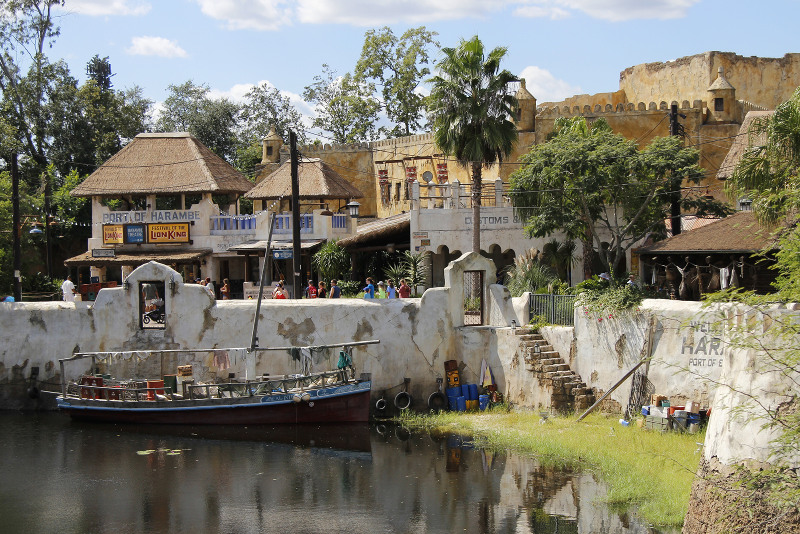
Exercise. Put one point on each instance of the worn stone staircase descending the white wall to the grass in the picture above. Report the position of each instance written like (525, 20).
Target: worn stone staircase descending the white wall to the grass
(568, 392)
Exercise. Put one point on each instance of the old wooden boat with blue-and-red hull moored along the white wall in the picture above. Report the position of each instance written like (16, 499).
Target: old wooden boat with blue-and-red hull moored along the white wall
(325, 397)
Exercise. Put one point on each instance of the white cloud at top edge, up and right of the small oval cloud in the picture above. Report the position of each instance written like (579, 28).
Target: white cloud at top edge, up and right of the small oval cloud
(248, 14)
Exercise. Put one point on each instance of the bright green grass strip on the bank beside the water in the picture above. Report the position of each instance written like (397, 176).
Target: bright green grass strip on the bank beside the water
(644, 469)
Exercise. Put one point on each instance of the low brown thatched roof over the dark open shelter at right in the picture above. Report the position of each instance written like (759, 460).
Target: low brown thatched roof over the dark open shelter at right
(738, 233)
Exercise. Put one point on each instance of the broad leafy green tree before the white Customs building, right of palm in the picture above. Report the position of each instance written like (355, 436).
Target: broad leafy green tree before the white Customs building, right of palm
(584, 180)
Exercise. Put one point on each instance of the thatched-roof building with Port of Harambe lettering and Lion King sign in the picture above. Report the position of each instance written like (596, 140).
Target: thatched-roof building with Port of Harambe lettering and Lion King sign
(165, 197)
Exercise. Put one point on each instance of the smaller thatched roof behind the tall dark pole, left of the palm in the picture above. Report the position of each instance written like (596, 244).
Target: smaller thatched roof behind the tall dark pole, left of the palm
(317, 180)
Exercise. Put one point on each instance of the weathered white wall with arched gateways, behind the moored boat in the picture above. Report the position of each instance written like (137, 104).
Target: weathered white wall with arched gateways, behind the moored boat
(417, 335)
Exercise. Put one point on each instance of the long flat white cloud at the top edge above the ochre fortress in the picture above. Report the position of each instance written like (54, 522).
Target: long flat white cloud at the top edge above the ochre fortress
(611, 10)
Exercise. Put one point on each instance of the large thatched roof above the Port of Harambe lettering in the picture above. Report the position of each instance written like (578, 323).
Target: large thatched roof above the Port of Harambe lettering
(163, 163)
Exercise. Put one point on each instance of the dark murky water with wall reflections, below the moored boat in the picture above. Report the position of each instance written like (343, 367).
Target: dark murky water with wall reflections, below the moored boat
(61, 476)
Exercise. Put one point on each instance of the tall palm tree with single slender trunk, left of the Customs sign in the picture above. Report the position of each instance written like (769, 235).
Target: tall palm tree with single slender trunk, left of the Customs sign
(471, 108)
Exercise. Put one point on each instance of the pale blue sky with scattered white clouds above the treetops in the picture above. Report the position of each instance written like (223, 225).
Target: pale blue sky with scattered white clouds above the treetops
(560, 47)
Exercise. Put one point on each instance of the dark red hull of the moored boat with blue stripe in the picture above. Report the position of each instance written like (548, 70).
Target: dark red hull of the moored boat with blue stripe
(339, 404)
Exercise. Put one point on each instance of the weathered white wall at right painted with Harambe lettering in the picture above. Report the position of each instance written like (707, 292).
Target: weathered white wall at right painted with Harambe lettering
(691, 361)
